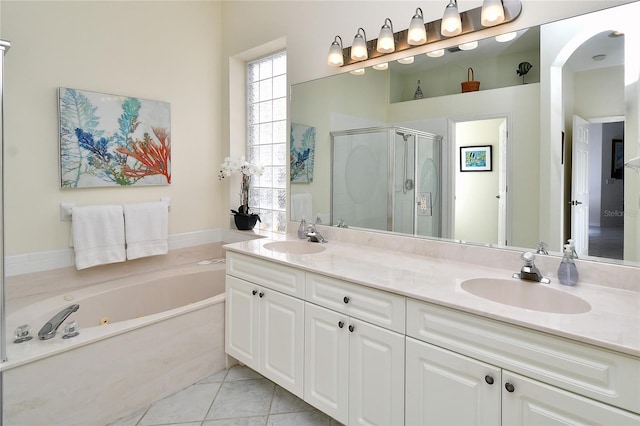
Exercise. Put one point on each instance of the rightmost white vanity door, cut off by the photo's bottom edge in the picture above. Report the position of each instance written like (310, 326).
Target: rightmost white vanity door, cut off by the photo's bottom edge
(528, 402)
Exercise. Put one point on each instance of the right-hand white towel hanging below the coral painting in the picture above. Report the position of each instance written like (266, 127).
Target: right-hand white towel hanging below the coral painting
(147, 229)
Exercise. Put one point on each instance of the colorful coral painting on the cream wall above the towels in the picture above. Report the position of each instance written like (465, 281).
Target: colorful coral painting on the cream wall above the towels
(109, 140)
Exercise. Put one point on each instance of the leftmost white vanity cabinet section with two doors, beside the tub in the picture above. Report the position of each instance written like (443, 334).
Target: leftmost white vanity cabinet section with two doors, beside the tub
(264, 326)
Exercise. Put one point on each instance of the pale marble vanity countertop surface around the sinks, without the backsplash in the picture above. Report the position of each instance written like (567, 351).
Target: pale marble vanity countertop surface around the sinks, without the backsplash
(613, 322)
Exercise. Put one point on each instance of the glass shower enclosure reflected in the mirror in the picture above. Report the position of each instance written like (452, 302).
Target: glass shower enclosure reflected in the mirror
(388, 179)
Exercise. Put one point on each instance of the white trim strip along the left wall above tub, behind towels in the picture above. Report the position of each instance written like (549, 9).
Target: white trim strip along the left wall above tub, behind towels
(46, 260)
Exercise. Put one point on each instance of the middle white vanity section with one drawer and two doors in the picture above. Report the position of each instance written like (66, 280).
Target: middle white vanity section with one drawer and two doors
(354, 369)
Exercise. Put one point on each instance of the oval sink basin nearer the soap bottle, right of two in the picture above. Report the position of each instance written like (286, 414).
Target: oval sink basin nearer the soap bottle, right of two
(527, 295)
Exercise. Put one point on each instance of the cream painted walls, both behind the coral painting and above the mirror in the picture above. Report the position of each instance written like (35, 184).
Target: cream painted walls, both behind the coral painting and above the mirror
(174, 51)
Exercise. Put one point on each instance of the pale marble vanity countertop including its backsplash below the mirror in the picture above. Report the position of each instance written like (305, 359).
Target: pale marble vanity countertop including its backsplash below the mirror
(433, 271)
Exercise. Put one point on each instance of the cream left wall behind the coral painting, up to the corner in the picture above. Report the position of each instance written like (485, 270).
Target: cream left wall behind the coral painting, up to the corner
(167, 51)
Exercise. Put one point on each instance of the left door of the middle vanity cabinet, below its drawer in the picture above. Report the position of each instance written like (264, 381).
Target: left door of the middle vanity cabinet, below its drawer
(326, 378)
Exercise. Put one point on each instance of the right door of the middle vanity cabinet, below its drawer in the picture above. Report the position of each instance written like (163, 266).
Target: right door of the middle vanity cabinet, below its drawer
(376, 375)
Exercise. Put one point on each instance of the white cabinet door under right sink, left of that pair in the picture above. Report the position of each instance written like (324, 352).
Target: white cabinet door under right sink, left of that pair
(447, 388)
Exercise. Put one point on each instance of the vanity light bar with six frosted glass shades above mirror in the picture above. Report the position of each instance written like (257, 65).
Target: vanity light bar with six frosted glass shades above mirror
(420, 34)
